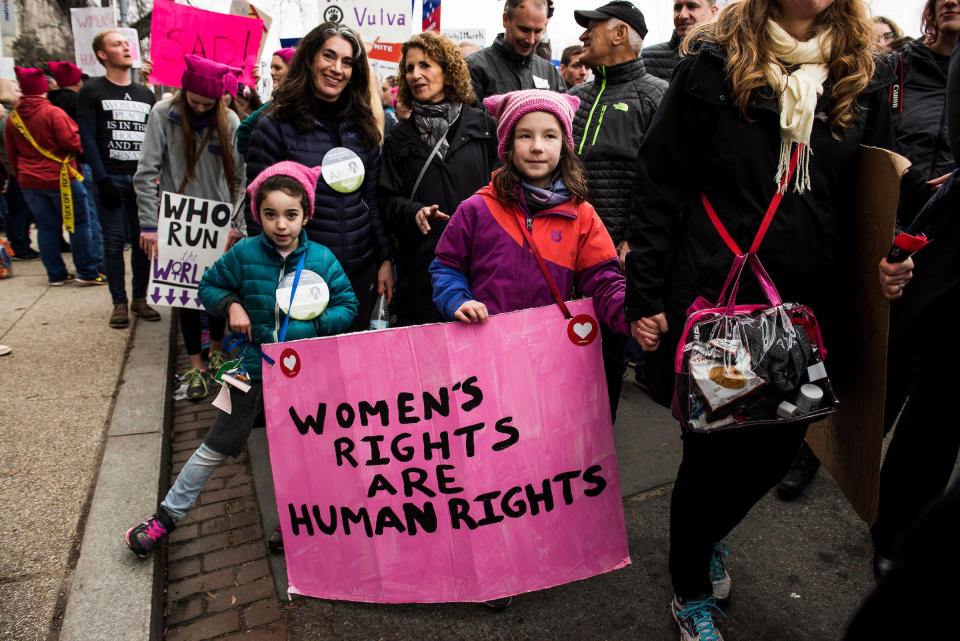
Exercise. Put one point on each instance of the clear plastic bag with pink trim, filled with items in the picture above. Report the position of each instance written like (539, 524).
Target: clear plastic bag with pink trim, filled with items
(742, 365)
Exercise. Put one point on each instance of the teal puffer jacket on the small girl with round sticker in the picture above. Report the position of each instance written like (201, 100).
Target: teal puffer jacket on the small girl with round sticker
(249, 274)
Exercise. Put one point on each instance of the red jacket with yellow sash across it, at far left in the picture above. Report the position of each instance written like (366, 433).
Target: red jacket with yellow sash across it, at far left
(53, 130)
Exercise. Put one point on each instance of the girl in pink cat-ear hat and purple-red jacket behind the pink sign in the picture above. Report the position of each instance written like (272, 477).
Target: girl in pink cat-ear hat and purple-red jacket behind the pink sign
(532, 220)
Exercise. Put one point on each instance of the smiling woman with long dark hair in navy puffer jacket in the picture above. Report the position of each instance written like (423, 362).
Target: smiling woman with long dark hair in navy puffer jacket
(322, 115)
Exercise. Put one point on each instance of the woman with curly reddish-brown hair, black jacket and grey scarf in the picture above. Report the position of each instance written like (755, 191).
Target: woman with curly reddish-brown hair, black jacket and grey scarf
(432, 161)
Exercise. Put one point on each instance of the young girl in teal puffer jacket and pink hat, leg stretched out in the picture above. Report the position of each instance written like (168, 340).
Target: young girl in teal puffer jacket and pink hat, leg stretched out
(242, 286)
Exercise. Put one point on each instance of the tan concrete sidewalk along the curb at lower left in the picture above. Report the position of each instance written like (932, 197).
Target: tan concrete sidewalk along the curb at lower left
(61, 385)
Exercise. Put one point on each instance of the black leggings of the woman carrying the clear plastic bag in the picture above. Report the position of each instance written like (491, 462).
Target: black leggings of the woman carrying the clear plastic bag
(721, 477)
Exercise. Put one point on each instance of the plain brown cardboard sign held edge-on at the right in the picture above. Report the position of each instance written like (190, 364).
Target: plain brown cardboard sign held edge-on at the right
(849, 443)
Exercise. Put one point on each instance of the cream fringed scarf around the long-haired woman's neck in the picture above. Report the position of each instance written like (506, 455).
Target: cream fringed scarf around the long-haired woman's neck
(798, 94)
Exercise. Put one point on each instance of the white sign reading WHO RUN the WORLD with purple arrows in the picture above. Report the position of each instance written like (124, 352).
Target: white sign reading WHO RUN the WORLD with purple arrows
(192, 235)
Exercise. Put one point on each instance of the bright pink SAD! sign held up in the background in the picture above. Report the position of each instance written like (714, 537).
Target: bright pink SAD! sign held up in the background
(177, 30)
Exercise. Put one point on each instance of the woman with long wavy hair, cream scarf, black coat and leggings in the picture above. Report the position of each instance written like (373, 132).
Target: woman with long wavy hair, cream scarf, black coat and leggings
(769, 78)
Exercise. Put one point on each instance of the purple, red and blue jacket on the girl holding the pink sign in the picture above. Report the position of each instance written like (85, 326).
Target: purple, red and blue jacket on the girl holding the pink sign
(483, 255)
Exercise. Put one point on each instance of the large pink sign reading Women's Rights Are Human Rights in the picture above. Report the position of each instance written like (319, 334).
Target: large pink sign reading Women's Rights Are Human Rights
(445, 462)
